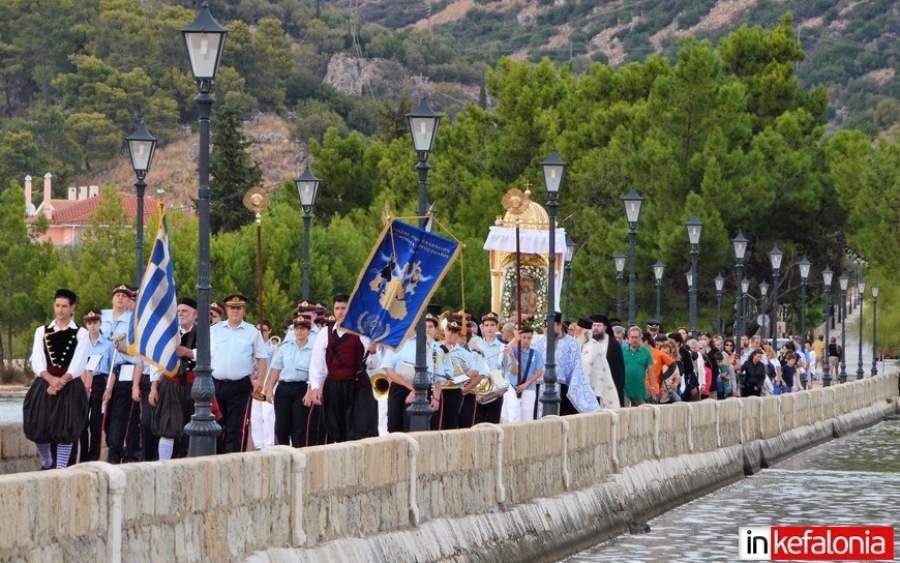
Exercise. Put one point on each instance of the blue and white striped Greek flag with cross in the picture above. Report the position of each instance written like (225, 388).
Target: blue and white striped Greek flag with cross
(154, 332)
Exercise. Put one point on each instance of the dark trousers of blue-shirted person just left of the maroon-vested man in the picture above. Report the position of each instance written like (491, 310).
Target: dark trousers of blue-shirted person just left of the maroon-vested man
(295, 424)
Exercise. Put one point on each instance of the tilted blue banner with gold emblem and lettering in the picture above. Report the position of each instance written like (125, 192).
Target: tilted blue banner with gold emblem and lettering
(405, 268)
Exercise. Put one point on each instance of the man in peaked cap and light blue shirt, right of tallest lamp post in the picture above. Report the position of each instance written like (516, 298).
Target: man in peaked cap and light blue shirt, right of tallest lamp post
(234, 346)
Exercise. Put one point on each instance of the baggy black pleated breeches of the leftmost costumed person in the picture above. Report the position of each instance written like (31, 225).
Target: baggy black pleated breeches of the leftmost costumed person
(55, 418)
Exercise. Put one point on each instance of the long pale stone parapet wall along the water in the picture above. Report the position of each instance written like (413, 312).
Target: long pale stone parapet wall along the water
(505, 492)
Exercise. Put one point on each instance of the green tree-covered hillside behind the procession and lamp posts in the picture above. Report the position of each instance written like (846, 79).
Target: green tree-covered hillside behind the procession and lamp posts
(725, 128)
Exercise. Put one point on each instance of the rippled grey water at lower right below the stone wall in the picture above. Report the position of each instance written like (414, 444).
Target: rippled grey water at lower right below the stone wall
(853, 480)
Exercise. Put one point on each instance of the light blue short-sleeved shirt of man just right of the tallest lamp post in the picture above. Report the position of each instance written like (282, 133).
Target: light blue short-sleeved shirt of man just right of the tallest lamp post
(232, 350)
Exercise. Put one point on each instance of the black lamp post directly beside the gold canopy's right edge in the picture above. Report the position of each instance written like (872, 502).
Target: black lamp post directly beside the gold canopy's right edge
(554, 172)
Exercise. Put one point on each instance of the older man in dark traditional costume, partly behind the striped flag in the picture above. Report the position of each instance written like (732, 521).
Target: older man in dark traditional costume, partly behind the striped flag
(171, 395)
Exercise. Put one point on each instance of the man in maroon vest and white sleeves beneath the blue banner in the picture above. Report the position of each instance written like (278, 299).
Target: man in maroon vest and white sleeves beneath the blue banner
(340, 383)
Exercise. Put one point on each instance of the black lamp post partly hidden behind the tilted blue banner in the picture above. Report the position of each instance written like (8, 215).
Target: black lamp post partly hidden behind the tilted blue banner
(423, 125)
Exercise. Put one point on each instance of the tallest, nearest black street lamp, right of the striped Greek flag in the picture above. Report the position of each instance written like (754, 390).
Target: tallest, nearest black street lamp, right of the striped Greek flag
(205, 40)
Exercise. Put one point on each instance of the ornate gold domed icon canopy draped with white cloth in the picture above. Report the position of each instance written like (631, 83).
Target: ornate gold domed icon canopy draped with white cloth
(532, 240)
